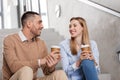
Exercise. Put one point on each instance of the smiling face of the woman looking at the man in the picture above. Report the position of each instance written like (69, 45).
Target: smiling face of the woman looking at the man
(75, 28)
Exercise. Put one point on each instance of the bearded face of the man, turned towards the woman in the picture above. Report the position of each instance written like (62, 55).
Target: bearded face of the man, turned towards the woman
(36, 26)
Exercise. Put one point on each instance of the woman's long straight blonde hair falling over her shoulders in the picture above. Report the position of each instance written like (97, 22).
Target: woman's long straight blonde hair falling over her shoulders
(85, 35)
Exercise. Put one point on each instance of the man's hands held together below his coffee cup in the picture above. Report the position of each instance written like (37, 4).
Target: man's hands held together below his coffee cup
(53, 58)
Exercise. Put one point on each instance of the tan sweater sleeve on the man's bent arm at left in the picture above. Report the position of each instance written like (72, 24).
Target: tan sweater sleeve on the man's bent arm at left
(11, 58)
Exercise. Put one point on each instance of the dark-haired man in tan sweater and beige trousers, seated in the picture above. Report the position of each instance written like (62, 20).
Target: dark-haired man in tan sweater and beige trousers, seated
(24, 53)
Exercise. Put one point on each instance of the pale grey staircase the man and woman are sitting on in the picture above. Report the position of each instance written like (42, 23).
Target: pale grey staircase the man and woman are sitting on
(51, 38)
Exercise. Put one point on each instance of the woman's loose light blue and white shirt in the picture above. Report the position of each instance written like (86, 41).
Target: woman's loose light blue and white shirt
(68, 60)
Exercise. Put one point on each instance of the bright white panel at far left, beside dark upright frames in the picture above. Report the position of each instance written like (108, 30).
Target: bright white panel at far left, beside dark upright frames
(10, 14)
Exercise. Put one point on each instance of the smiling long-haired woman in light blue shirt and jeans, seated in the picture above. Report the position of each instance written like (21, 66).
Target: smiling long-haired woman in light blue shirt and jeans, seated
(79, 65)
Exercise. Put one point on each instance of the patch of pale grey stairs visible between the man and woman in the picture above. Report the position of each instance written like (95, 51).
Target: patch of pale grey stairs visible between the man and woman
(51, 37)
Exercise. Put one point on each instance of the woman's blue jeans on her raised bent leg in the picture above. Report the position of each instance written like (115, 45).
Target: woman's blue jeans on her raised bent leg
(88, 69)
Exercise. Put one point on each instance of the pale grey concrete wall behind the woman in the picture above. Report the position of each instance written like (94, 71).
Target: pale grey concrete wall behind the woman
(103, 28)
